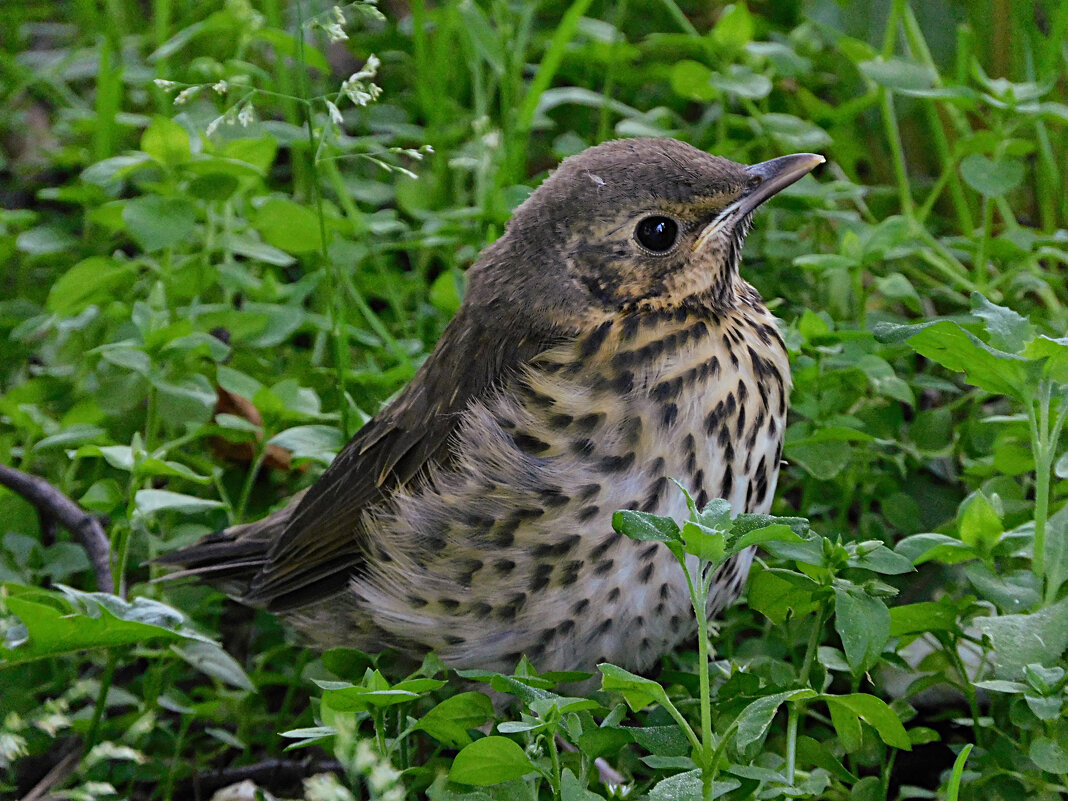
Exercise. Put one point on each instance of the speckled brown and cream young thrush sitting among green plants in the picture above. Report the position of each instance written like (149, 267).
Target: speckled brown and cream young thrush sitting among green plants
(606, 345)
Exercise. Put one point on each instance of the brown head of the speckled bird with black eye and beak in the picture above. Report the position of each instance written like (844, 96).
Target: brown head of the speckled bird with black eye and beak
(642, 224)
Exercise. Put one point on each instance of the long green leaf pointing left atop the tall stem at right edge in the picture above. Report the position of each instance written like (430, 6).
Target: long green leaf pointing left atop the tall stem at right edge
(953, 348)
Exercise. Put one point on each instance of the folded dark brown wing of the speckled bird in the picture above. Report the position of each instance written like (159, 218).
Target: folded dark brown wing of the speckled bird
(323, 545)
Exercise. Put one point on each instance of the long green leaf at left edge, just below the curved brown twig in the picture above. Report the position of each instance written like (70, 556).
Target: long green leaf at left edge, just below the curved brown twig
(71, 621)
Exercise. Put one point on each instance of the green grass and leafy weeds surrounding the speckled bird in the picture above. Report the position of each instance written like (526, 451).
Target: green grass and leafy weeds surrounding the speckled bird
(907, 643)
